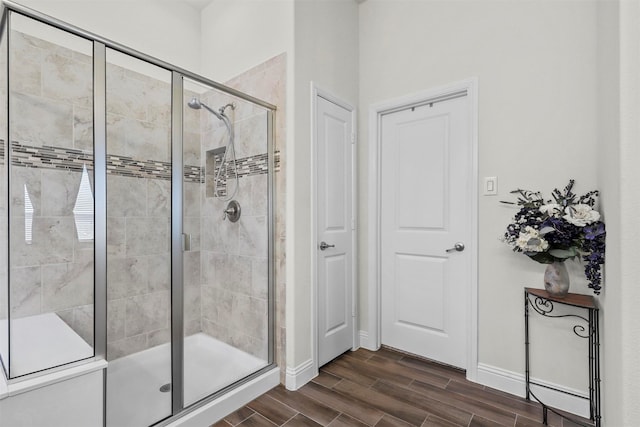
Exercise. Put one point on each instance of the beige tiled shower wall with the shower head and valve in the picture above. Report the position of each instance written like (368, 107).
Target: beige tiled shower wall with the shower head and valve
(234, 285)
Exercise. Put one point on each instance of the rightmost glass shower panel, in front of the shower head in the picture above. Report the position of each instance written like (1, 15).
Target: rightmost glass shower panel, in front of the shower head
(225, 222)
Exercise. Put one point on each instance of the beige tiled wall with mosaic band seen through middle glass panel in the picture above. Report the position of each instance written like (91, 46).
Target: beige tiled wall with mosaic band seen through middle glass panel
(138, 210)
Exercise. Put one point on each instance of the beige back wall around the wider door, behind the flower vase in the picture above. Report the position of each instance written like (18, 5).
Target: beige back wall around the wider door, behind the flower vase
(538, 103)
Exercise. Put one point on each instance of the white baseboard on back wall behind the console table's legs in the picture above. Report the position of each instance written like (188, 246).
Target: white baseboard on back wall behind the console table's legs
(514, 383)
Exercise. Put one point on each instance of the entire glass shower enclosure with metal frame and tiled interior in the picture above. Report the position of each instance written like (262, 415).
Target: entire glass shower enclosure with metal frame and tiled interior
(136, 207)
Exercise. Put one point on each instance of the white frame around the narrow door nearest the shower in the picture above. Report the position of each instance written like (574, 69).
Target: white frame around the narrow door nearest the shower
(316, 92)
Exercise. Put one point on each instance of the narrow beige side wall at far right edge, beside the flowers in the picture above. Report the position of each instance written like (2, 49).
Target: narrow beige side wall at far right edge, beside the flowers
(621, 316)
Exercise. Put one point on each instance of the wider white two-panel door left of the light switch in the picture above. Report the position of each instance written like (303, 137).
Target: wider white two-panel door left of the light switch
(426, 169)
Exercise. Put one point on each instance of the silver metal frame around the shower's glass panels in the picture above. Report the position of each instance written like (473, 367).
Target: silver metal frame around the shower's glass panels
(100, 46)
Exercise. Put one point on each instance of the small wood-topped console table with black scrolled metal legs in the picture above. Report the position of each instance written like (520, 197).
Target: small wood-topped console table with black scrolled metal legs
(543, 304)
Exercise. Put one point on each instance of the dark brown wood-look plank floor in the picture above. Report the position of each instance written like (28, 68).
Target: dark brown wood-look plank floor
(385, 389)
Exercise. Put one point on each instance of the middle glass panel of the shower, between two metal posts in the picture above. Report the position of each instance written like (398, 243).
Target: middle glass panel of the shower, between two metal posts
(138, 105)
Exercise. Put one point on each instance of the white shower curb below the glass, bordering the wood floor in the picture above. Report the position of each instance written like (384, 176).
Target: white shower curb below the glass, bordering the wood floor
(235, 399)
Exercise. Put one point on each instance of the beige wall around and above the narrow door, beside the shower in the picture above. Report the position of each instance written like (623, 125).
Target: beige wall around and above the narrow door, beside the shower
(326, 52)
